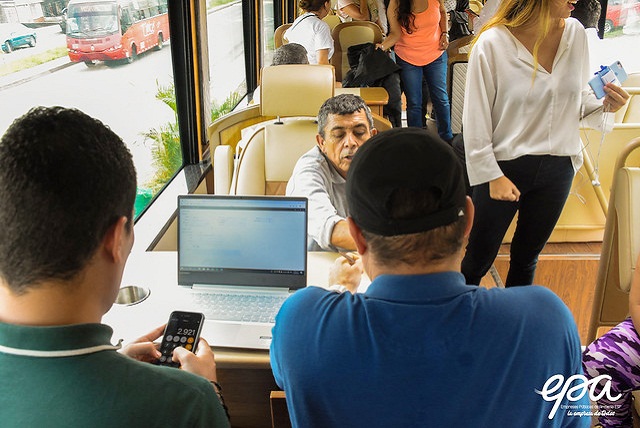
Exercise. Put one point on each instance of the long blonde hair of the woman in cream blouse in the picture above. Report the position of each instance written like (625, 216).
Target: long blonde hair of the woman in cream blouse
(515, 13)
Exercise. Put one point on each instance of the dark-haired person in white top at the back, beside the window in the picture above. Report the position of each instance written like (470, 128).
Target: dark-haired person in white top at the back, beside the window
(310, 31)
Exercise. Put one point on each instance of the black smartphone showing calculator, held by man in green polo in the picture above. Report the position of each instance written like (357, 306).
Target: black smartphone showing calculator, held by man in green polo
(183, 329)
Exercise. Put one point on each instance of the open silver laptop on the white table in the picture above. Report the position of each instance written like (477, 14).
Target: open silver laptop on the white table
(239, 258)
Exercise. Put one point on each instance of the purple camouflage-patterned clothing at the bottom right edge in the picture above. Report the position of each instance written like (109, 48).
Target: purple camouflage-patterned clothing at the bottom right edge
(616, 354)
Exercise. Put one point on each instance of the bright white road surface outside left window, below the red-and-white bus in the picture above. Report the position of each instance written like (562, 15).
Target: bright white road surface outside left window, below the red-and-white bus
(122, 96)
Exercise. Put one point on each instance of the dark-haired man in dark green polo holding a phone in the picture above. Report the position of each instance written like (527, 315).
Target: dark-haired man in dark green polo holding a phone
(67, 188)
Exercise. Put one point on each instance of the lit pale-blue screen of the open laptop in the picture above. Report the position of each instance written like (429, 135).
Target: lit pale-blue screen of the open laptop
(242, 240)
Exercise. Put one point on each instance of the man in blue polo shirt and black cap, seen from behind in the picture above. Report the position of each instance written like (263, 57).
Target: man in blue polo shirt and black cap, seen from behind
(421, 348)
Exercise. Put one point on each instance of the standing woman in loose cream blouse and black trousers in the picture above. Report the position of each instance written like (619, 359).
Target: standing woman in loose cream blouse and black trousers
(526, 93)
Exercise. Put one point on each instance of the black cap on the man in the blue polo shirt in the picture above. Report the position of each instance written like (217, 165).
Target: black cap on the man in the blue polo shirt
(404, 158)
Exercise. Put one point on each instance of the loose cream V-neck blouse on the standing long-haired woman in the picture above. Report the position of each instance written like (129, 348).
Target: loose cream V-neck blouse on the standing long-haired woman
(507, 114)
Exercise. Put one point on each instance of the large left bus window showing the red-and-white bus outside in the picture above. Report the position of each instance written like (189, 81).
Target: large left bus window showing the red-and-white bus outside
(136, 100)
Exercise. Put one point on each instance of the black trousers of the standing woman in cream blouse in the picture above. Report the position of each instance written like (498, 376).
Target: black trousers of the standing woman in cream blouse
(544, 183)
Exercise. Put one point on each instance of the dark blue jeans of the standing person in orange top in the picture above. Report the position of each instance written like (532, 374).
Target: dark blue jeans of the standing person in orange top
(435, 74)
